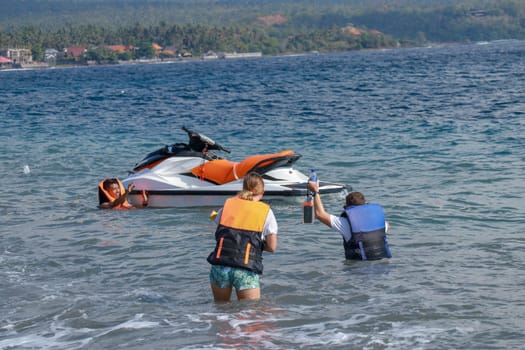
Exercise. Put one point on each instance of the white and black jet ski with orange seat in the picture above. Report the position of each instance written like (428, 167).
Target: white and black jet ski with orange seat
(193, 174)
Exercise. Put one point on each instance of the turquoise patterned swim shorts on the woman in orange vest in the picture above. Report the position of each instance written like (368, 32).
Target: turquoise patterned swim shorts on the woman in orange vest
(240, 279)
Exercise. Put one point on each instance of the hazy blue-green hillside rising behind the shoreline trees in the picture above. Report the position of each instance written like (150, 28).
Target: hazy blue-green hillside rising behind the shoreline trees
(432, 20)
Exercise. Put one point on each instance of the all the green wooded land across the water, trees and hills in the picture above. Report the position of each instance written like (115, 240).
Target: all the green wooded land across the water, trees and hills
(269, 26)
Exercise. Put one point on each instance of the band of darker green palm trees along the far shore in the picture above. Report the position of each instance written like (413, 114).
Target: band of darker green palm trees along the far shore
(197, 39)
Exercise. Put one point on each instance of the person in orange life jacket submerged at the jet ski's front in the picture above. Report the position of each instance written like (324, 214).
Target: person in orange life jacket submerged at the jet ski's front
(111, 195)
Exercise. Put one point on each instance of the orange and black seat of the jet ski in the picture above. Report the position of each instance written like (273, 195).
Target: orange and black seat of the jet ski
(221, 171)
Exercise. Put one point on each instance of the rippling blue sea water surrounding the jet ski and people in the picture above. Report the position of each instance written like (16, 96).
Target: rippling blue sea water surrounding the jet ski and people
(433, 134)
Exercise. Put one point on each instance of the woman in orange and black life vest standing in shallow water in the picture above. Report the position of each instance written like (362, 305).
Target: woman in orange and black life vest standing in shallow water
(246, 227)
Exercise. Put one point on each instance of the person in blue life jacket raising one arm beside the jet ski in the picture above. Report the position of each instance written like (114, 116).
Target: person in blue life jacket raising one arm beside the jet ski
(362, 225)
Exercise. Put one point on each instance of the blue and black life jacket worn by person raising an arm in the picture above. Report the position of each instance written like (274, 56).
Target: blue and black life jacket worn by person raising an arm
(367, 224)
